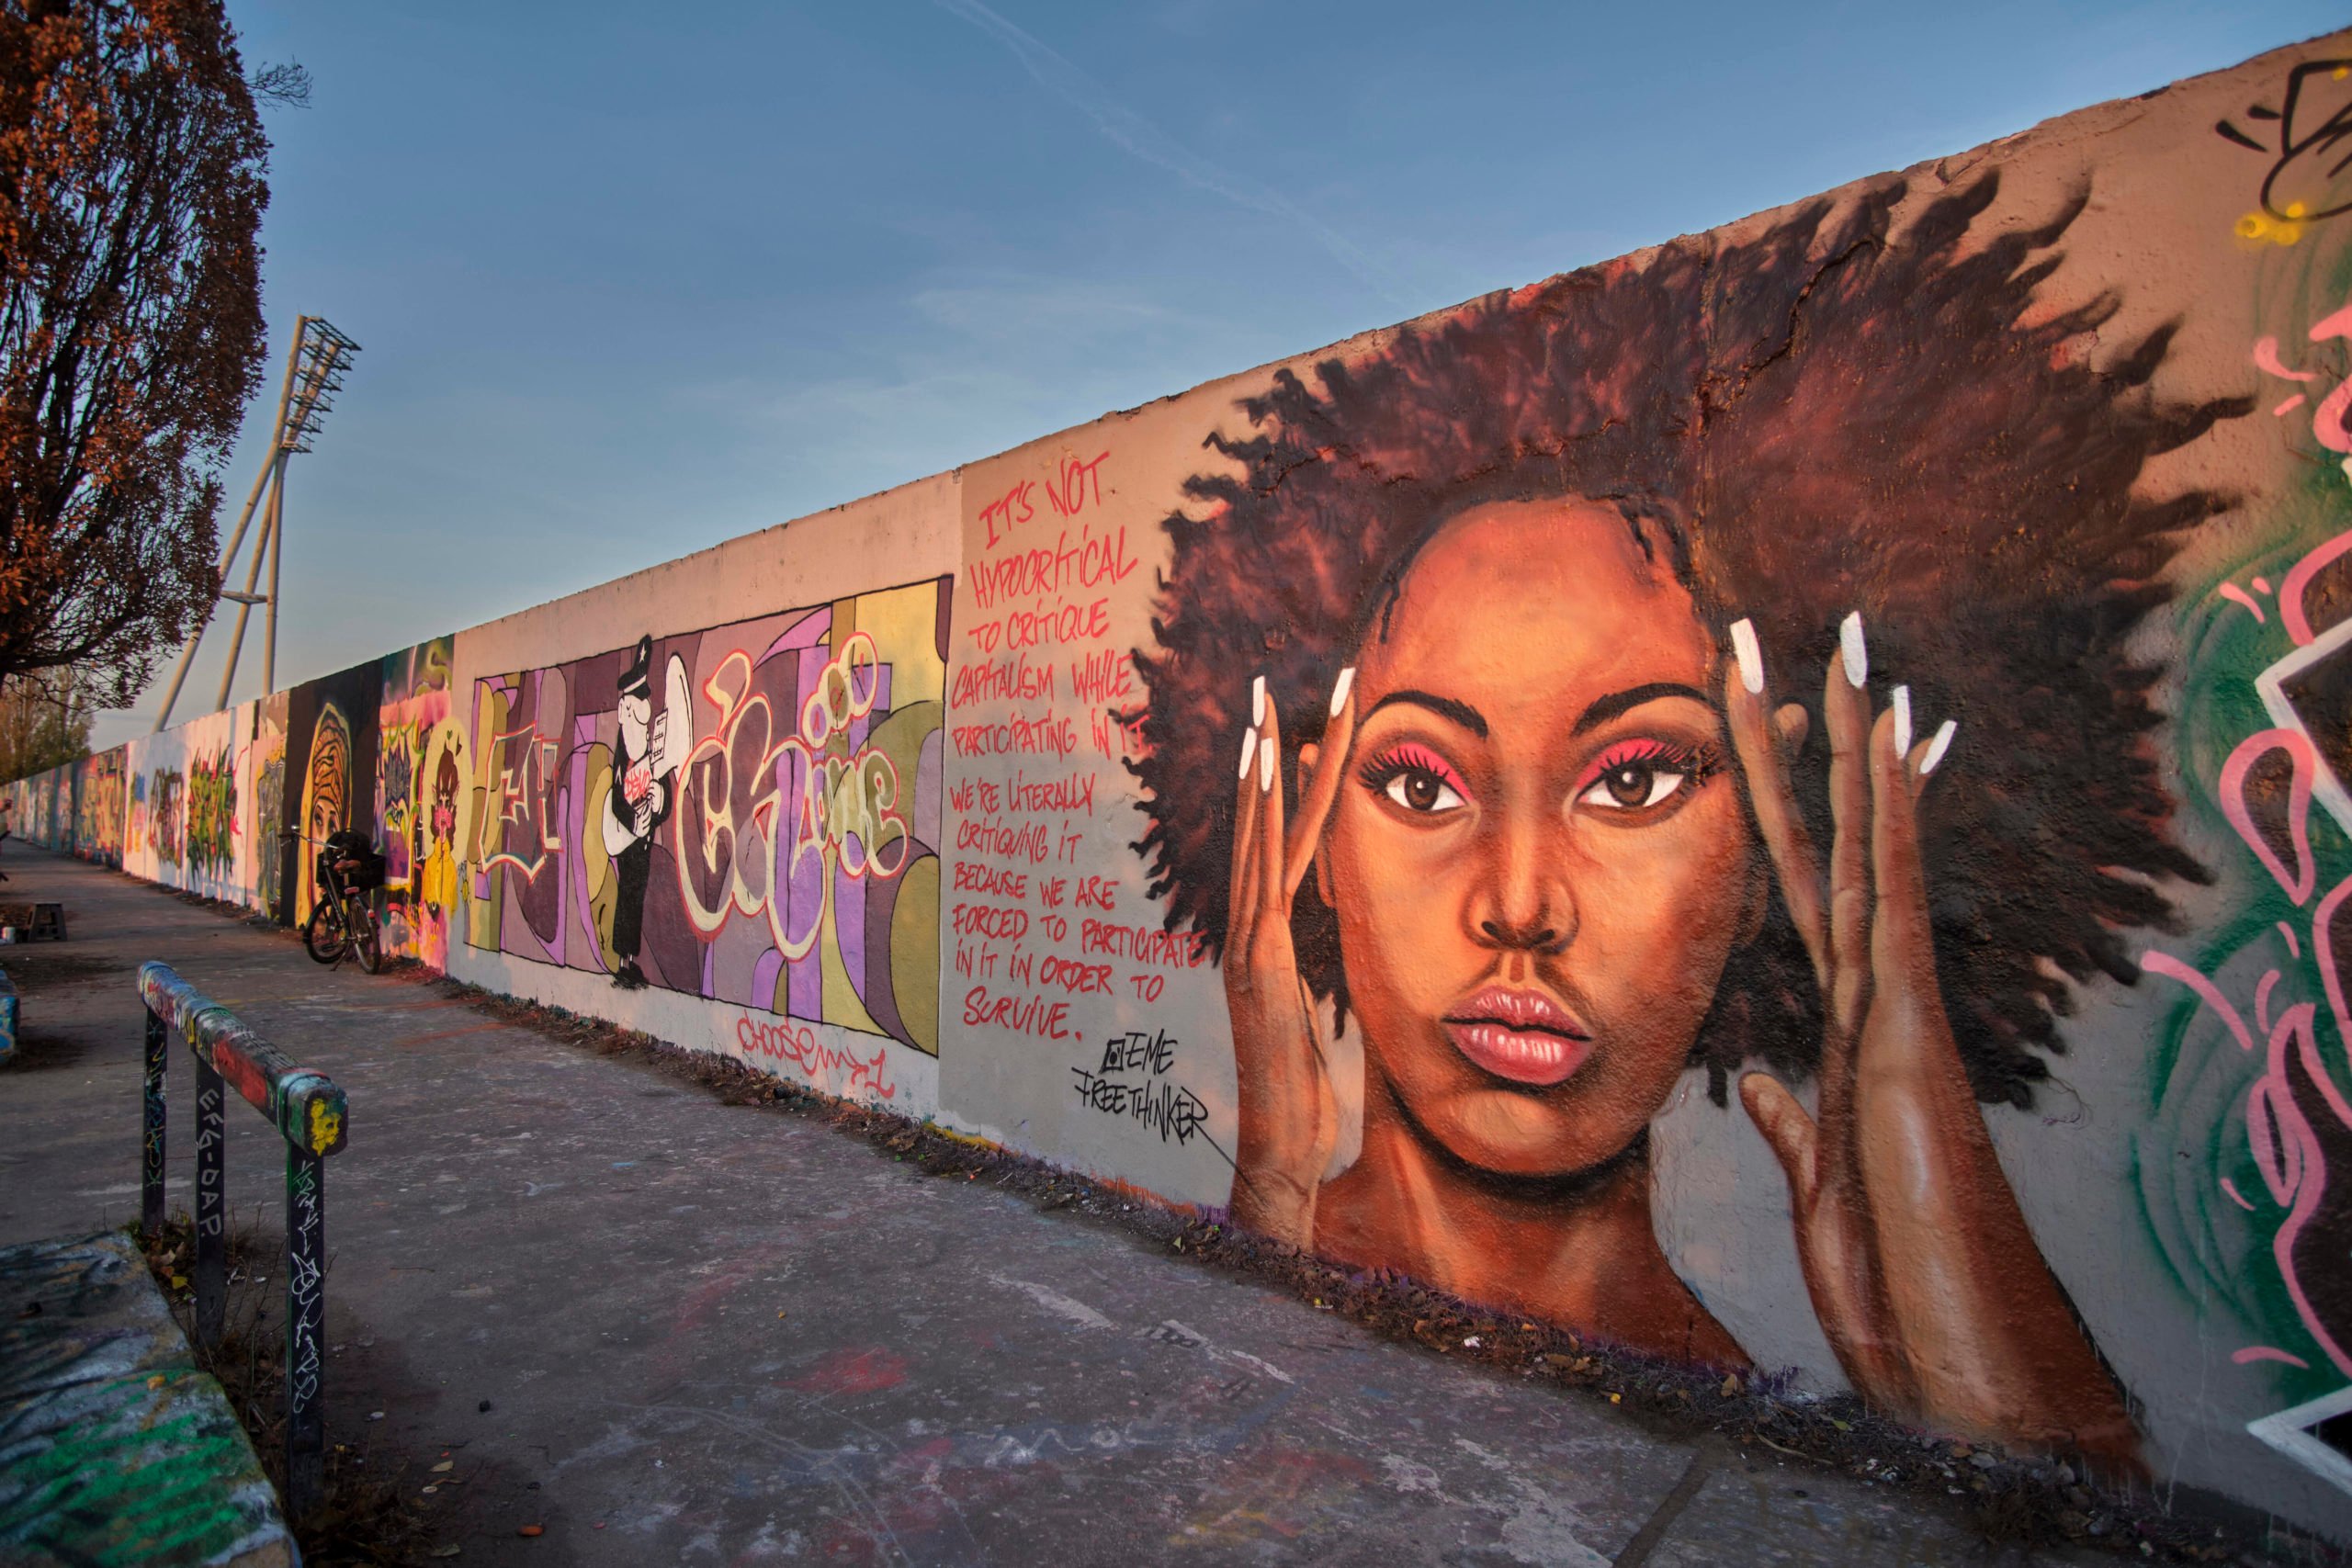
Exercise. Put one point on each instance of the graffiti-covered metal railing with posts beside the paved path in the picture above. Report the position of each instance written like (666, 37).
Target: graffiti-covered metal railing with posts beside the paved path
(309, 1113)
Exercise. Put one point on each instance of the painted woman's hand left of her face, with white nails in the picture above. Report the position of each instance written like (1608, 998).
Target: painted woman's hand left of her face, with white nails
(1290, 1120)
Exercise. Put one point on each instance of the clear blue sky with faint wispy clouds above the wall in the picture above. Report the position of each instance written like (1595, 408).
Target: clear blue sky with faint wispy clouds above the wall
(634, 281)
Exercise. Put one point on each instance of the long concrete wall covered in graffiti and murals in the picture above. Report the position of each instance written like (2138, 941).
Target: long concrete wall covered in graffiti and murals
(1796, 815)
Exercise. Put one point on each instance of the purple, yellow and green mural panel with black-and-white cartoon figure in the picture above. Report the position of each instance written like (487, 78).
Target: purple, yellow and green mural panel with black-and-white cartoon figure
(747, 815)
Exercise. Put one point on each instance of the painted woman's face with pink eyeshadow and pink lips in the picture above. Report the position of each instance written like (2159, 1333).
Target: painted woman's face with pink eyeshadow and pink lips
(1542, 857)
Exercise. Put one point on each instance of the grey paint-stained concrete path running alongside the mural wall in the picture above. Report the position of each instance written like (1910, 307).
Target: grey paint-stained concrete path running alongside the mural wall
(714, 1334)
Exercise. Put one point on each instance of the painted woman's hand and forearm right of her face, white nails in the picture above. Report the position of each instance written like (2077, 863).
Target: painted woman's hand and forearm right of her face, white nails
(1916, 1252)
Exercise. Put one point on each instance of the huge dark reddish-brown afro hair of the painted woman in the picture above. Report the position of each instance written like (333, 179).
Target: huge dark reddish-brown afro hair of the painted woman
(1819, 420)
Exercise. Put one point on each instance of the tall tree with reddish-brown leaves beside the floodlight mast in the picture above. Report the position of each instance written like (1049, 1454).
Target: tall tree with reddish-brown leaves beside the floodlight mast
(131, 323)
